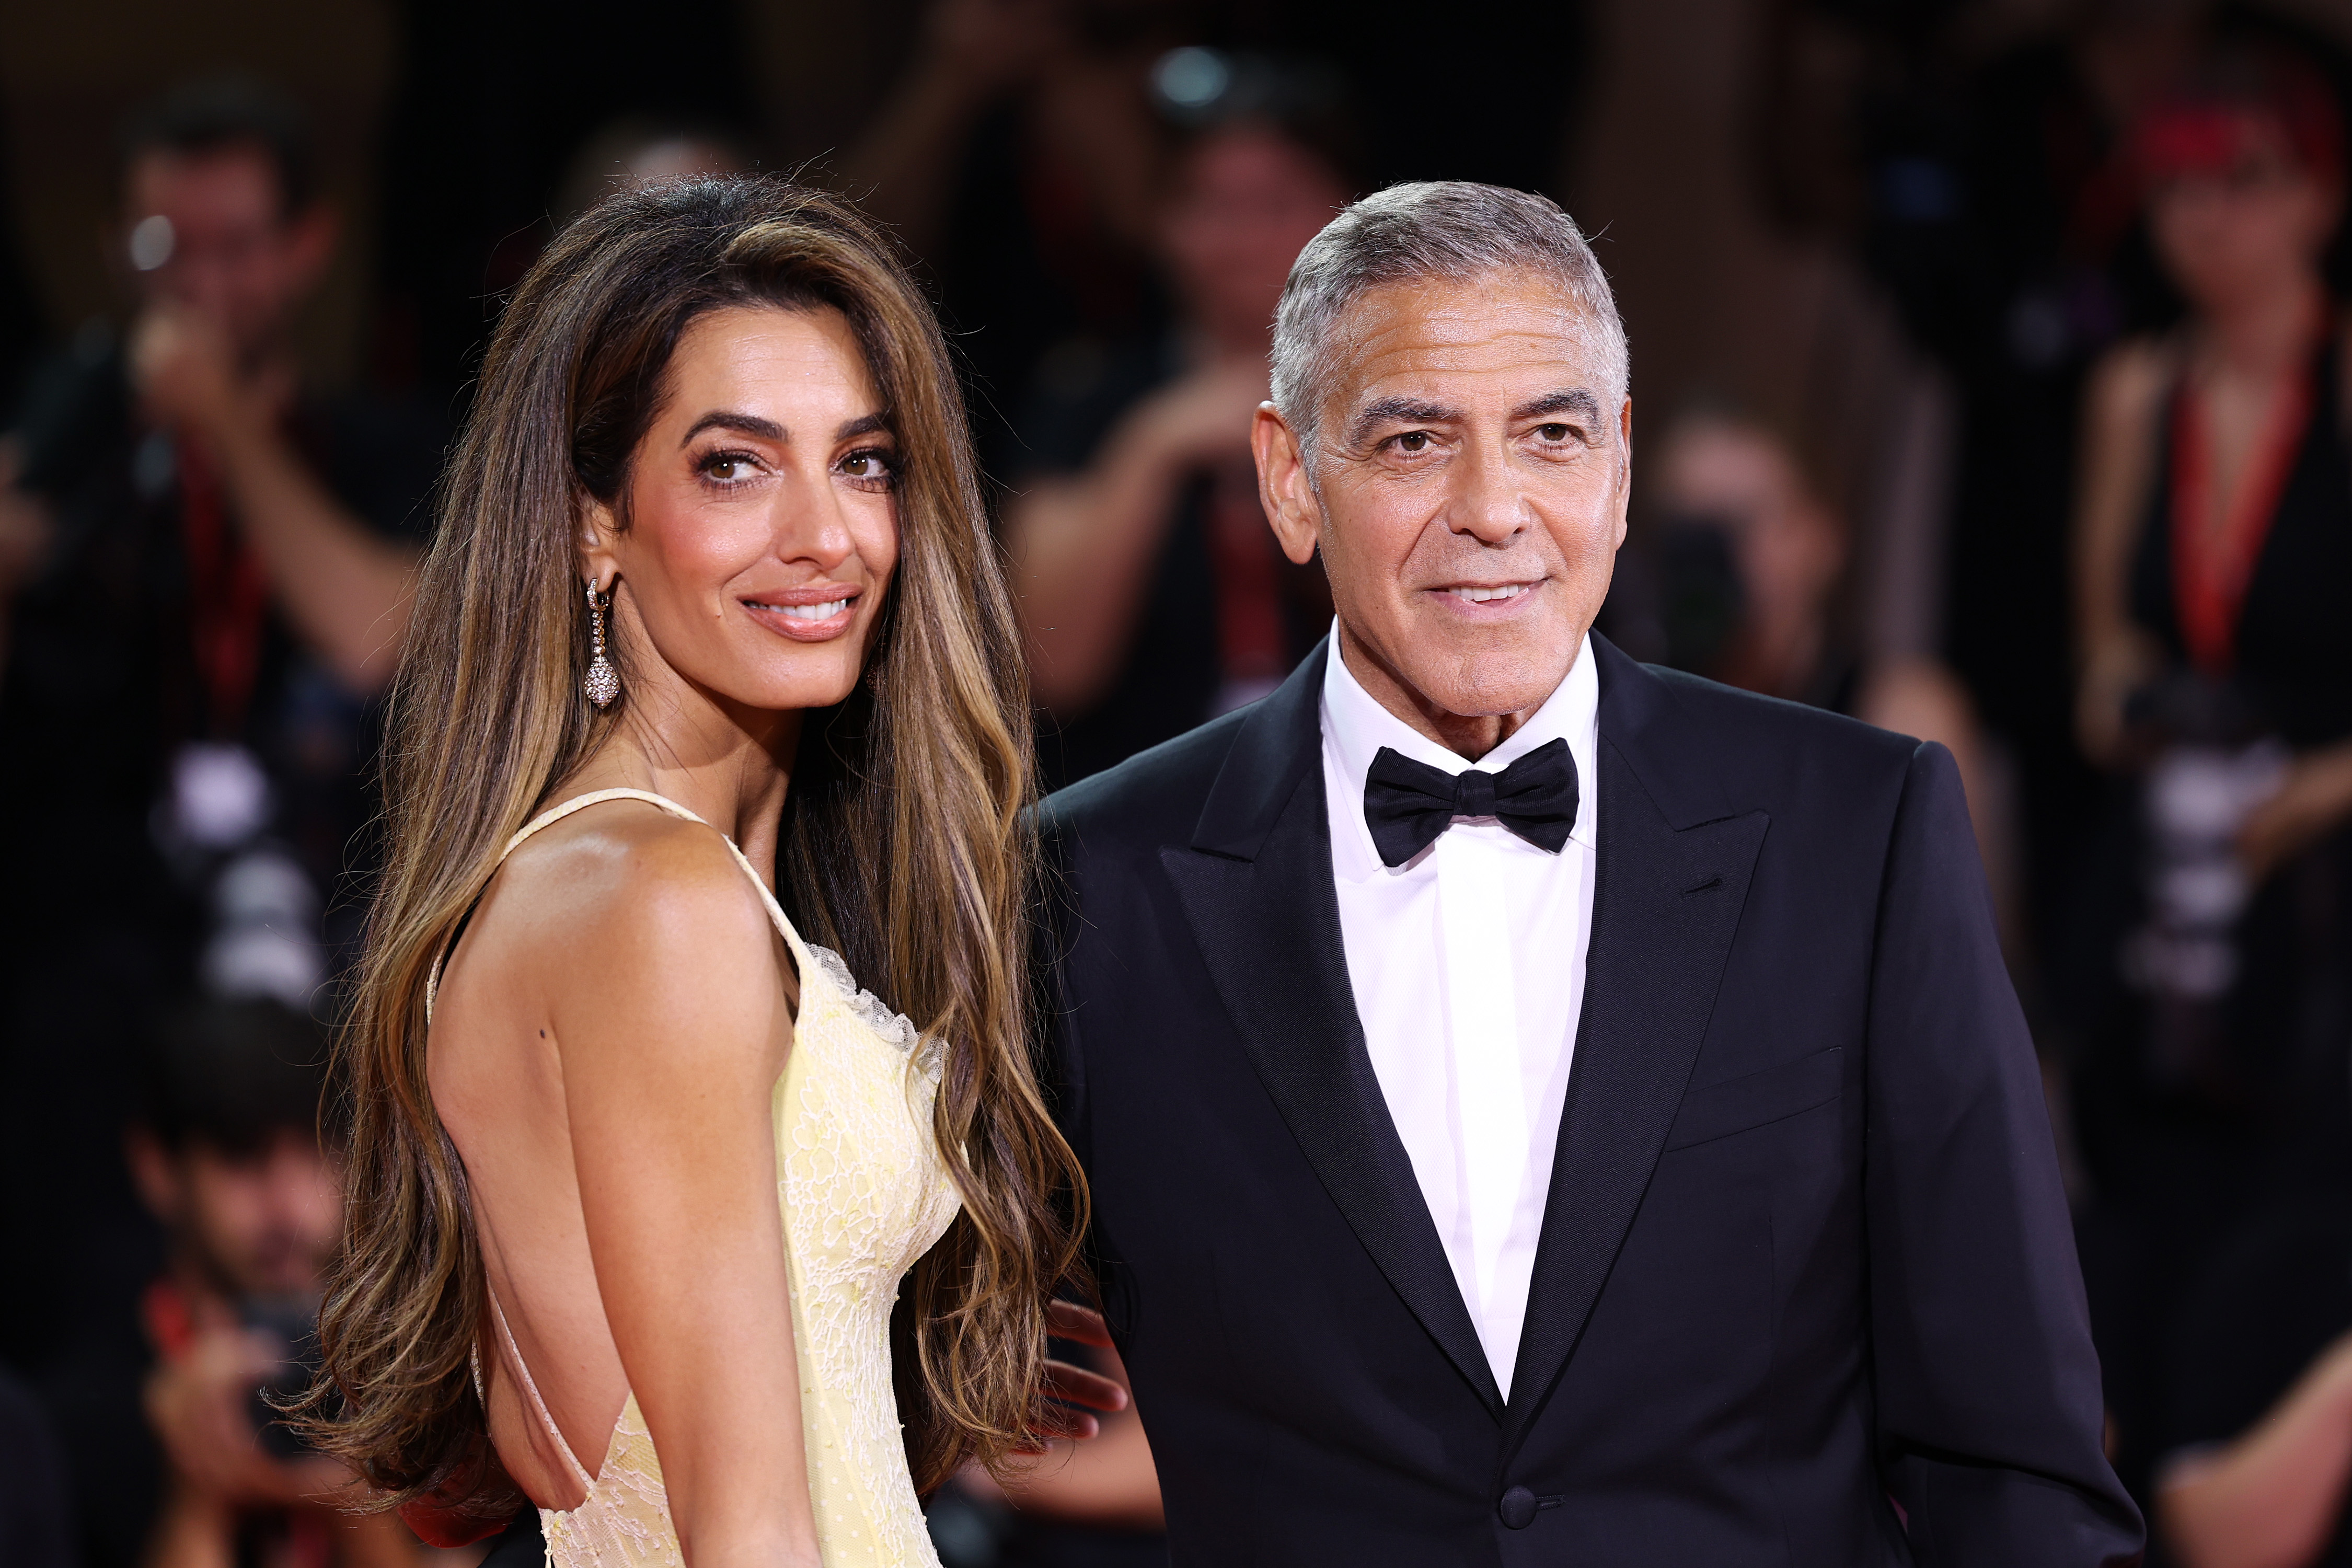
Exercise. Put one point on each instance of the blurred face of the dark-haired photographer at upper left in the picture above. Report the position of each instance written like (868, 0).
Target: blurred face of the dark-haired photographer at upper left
(234, 255)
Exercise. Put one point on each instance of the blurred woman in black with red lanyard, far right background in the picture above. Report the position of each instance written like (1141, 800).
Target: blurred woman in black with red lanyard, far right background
(2214, 544)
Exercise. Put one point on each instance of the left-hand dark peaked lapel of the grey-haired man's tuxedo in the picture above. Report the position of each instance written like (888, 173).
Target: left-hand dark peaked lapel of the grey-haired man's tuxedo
(1257, 890)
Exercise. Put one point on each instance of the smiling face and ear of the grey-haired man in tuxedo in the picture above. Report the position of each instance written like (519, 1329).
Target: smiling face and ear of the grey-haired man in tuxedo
(1469, 492)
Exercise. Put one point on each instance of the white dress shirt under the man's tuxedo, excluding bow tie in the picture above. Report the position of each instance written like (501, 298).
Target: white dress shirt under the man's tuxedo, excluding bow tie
(1469, 972)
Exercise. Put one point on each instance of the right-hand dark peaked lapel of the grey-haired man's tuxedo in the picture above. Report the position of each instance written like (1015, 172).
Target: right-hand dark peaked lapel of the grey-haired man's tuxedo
(1671, 883)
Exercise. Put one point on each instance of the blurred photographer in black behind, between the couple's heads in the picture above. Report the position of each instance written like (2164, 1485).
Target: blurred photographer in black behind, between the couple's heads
(1151, 589)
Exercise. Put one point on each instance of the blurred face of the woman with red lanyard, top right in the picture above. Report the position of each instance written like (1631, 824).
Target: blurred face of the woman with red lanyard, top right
(2243, 229)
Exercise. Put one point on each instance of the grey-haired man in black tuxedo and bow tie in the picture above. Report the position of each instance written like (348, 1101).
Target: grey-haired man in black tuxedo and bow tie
(1544, 1108)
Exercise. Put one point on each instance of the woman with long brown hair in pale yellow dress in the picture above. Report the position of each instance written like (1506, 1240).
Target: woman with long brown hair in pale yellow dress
(711, 629)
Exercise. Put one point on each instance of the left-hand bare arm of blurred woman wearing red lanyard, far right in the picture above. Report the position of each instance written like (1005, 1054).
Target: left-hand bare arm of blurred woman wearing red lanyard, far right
(2123, 408)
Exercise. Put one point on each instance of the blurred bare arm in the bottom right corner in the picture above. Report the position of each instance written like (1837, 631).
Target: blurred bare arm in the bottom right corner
(2271, 1499)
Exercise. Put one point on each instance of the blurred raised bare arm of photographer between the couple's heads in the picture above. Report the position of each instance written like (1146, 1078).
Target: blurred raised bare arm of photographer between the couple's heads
(1085, 544)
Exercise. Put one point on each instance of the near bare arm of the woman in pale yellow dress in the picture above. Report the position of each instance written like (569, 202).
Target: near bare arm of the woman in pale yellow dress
(671, 1031)
